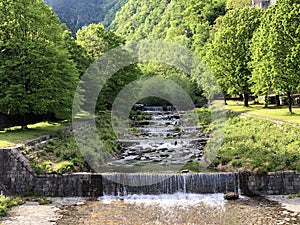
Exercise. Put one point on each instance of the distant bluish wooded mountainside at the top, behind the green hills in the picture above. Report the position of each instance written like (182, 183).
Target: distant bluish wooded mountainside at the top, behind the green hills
(79, 13)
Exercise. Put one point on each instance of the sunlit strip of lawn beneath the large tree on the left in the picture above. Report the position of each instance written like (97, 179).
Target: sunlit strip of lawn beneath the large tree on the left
(14, 135)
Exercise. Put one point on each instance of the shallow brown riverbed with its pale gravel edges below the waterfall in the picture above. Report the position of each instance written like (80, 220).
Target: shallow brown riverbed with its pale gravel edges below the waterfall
(159, 209)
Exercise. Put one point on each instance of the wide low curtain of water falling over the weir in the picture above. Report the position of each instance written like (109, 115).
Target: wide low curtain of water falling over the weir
(119, 184)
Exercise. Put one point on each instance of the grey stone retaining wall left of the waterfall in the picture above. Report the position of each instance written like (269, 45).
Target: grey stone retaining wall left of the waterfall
(17, 178)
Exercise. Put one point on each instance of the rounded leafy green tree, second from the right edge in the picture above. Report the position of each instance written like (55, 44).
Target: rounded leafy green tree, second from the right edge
(228, 55)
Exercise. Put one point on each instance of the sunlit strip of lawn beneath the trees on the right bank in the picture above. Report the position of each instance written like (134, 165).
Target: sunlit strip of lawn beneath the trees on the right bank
(272, 112)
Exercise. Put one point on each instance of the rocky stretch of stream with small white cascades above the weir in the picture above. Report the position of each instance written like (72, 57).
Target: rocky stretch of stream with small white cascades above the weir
(162, 141)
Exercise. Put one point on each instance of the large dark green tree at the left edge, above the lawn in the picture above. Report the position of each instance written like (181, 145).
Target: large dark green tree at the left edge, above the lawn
(36, 75)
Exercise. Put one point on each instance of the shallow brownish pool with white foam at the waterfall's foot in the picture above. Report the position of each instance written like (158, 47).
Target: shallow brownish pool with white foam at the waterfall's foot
(178, 209)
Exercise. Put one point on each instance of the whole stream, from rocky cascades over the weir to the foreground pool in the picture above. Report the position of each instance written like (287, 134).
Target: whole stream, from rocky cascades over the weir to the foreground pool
(169, 197)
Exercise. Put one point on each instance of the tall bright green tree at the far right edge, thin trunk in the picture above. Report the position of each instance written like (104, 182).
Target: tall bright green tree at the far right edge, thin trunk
(276, 50)
